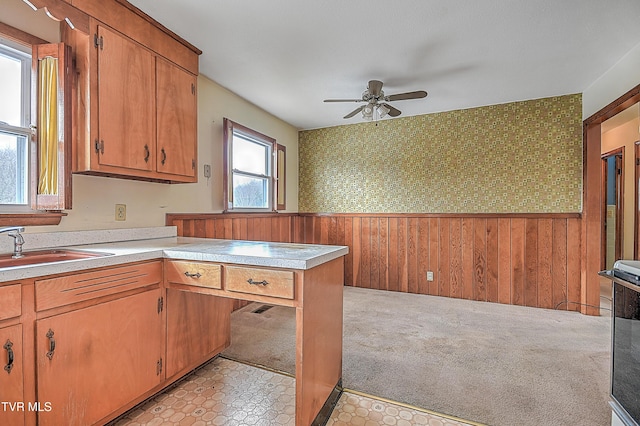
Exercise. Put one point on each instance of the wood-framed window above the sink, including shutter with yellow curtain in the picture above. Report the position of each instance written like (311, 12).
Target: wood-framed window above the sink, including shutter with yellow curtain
(35, 129)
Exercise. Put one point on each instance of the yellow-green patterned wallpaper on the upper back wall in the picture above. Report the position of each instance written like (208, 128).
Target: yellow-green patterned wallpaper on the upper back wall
(521, 157)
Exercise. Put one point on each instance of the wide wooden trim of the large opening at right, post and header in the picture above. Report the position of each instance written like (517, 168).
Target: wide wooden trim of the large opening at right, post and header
(592, 203)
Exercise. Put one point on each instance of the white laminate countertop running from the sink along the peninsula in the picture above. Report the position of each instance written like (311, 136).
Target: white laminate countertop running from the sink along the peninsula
(256, 253)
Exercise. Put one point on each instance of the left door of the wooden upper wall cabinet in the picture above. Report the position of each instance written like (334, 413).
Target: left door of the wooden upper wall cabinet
(126, 103)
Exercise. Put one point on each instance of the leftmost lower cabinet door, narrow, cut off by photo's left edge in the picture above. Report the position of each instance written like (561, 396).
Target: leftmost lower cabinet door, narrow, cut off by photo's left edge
(11, 383)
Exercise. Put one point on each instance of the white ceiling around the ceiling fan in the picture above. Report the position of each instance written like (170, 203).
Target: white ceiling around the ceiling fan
(287, 56)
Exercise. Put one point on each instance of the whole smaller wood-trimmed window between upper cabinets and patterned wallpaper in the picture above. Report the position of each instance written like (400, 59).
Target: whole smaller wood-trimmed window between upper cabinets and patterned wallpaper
(249, 174)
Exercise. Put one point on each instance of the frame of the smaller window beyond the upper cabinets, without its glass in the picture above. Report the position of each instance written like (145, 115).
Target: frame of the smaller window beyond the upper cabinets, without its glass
(232, 129)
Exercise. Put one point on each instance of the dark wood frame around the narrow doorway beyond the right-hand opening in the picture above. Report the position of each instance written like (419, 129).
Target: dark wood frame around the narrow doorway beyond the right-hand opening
(619, 188)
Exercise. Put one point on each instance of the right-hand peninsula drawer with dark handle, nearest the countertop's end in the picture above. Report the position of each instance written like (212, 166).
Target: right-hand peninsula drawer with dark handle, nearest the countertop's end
(265, 282)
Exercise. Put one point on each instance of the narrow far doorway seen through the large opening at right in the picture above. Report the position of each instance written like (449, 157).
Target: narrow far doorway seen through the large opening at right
(613, 199)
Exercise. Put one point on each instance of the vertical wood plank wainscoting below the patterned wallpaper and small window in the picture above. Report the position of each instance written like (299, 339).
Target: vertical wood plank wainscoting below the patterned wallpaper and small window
(519, 259)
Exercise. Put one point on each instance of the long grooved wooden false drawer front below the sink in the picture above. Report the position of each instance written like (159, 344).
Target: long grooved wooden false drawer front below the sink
(65, 290)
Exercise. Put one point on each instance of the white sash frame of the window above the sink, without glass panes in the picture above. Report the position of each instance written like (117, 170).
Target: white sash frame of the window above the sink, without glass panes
(22, 53)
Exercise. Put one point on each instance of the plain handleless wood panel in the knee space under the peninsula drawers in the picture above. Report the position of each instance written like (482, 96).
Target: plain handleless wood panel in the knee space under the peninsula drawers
(198, 326)
